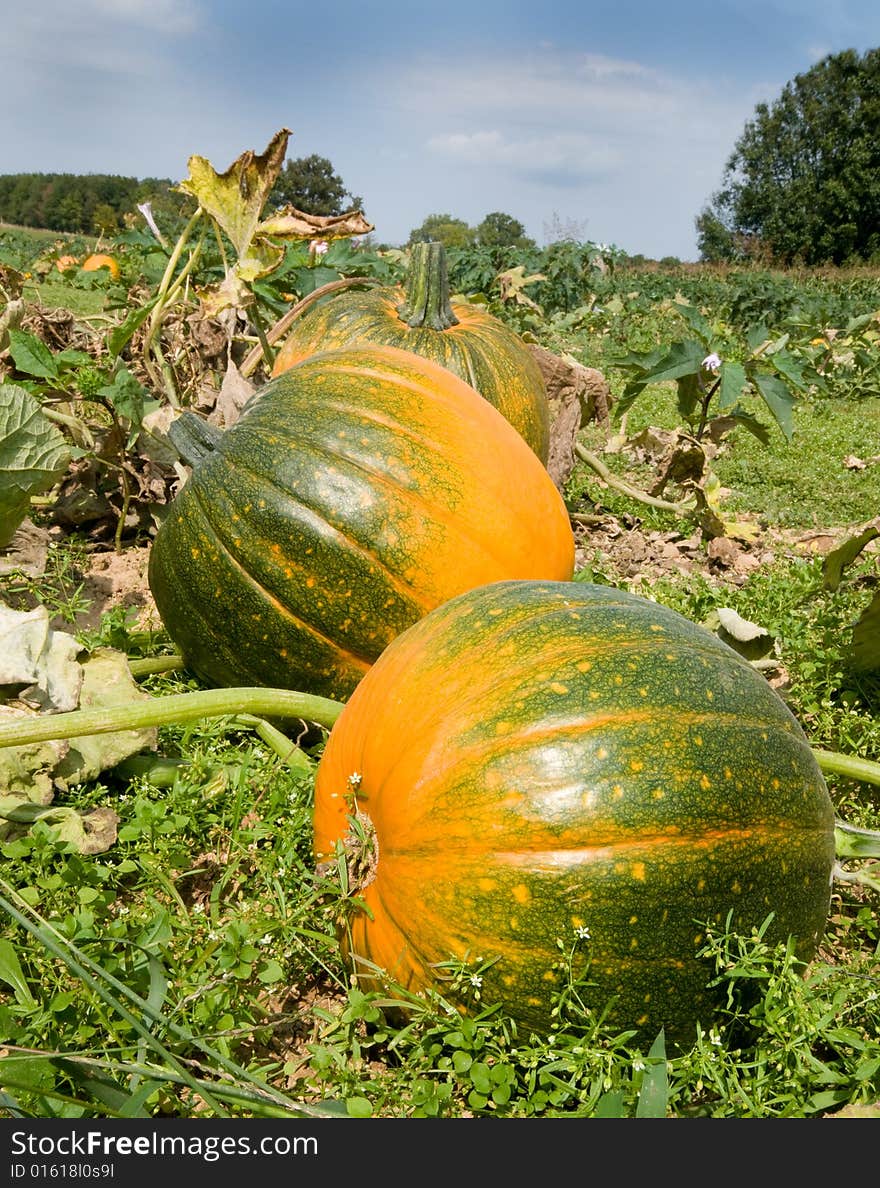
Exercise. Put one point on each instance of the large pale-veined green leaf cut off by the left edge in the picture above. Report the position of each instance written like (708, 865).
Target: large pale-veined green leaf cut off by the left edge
(34, 456)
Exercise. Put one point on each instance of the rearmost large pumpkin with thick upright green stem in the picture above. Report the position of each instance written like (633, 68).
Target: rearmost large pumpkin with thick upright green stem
(420, 317)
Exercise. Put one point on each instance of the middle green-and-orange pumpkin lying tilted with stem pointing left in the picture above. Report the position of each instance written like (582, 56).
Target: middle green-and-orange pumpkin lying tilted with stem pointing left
(357, 492)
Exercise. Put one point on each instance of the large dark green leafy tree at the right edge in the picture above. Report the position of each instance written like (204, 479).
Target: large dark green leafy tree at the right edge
(805, 178)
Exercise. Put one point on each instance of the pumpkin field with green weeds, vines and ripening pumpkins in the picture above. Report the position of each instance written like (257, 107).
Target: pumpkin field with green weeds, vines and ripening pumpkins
(435, 683)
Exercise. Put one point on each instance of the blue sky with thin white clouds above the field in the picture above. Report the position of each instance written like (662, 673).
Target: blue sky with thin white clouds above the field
(610, 122)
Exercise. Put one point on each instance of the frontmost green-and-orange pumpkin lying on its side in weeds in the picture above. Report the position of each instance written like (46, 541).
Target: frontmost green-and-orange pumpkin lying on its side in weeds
(541, 769)
